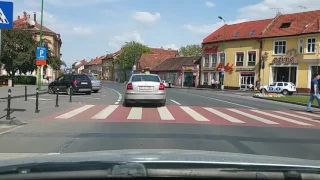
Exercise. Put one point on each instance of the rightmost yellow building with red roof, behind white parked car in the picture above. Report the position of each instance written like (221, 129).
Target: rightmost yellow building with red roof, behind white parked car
(291, 46)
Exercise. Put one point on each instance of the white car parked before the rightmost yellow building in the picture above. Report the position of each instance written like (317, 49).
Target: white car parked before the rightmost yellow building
(280, 87)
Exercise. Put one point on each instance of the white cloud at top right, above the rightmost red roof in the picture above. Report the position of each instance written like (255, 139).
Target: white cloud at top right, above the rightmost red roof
(267, 8)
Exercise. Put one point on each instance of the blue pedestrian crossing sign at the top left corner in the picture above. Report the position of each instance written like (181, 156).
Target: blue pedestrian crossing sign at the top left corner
(6, 15)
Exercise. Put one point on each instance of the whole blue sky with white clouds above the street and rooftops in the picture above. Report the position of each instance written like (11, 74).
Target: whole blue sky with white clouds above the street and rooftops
(91, 28)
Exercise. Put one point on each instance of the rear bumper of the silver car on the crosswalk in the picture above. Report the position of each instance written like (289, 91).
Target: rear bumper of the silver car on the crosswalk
(145, 97)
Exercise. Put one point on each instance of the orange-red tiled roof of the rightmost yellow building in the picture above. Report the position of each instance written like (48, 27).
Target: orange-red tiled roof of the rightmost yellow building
(299, 23)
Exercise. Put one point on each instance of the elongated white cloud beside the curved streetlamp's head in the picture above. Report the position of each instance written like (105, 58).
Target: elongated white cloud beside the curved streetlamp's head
(209, 28)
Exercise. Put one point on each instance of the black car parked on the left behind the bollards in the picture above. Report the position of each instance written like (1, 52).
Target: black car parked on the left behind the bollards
(78, 82)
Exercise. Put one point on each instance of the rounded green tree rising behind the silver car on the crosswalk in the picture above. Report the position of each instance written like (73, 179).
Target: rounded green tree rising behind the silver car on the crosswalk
(131, 52)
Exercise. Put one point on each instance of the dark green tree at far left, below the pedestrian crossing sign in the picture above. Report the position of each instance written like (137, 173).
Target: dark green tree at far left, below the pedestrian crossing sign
(18, 51)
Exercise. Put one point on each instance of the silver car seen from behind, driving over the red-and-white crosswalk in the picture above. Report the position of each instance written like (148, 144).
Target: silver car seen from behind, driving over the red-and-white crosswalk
(145, 88)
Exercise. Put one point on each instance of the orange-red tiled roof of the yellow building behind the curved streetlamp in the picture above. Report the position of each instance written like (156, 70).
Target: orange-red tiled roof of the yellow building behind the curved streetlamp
(244, 30)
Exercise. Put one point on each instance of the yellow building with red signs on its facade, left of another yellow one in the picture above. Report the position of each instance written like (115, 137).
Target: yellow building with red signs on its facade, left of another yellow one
(241, 44)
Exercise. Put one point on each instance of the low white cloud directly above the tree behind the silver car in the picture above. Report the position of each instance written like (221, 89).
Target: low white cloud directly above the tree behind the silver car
(119, 40)
